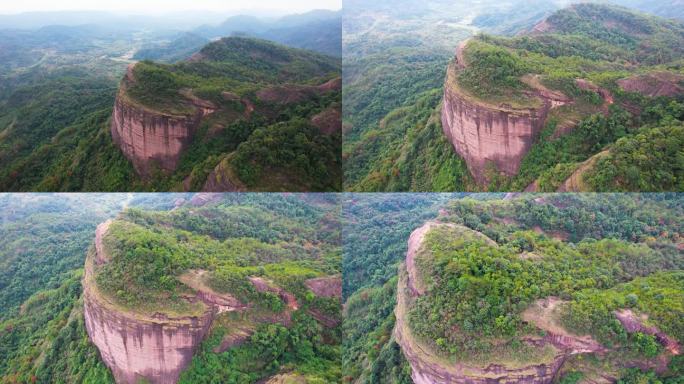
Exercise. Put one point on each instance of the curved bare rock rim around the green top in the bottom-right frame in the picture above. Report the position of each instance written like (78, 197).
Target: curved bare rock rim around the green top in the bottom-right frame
(427, 367)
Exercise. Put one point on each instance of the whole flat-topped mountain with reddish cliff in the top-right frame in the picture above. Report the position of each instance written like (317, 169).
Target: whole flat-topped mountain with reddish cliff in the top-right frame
(537, 105)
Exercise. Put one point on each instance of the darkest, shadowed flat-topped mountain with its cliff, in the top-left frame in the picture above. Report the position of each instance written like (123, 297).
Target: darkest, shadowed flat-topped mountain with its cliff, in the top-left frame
(176, 121)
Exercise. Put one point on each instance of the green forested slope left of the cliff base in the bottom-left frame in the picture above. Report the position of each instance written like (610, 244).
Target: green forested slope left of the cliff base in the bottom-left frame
(47, 342)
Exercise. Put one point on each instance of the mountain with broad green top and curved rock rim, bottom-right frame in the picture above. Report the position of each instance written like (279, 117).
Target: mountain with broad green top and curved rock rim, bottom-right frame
(526, 308)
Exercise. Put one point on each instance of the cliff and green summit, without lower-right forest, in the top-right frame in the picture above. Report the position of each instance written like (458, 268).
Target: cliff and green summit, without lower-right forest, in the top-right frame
(500, 93)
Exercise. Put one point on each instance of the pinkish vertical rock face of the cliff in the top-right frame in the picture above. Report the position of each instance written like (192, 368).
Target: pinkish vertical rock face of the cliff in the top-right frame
(499, 134)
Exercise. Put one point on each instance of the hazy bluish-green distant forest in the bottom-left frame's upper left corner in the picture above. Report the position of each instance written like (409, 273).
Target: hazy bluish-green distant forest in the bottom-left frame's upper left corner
(44, 238)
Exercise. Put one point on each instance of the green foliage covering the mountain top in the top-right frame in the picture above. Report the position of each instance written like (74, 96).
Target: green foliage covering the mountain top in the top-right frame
(597, 42)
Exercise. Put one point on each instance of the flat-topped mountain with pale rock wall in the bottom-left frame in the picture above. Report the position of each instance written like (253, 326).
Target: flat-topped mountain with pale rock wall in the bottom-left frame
(152, 299)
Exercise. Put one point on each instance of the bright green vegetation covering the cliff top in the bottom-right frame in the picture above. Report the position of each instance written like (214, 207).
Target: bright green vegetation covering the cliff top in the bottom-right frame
(616, 252)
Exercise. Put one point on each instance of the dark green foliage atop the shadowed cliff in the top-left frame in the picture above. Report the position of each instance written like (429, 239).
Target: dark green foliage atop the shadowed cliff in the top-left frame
(236, 64)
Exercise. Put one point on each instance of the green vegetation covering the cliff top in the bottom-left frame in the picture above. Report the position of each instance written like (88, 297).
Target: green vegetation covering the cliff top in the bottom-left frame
(285, 240)
